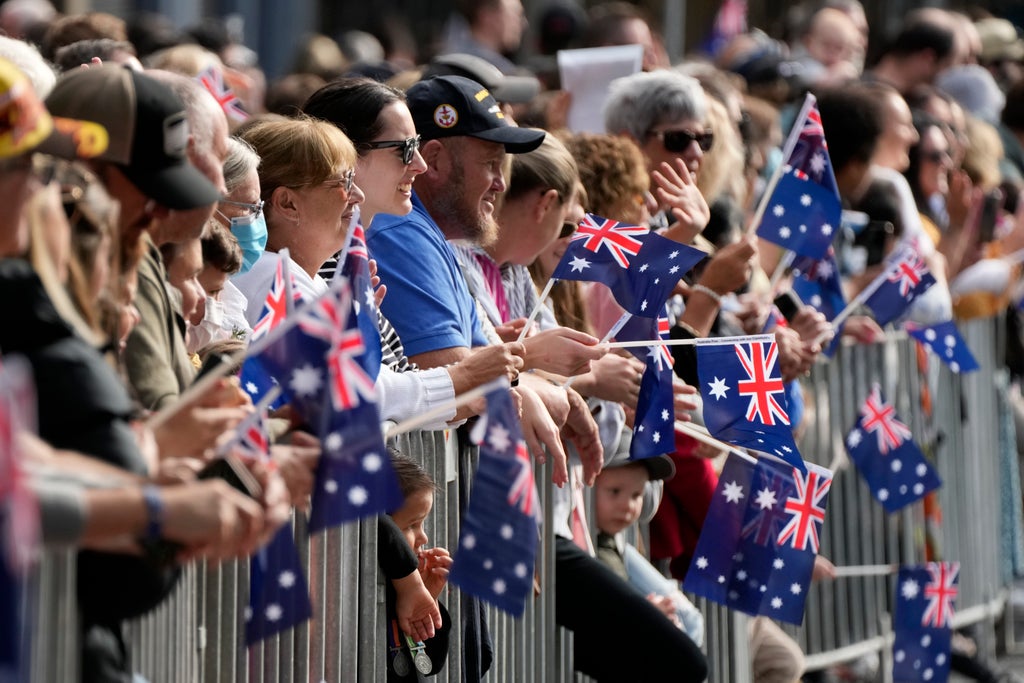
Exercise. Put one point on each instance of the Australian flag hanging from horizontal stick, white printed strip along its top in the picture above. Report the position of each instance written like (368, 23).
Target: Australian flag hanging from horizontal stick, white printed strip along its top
(744, 397)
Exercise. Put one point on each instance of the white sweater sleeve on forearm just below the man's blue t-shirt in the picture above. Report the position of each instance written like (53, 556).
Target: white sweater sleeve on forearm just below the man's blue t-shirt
(403, 396)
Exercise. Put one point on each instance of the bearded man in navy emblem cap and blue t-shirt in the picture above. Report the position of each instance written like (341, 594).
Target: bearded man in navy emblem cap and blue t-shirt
(465, 140)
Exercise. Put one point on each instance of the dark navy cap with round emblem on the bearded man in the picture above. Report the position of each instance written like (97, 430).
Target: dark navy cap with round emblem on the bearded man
(453, 106)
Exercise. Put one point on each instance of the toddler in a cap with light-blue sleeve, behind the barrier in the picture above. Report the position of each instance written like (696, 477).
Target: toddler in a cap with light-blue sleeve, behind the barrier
(619, 495)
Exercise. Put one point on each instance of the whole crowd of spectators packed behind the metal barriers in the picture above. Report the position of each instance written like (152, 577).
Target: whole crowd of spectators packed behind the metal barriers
(147, 212)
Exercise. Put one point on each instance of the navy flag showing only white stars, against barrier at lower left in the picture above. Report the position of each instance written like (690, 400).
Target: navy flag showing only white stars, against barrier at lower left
(279, 595)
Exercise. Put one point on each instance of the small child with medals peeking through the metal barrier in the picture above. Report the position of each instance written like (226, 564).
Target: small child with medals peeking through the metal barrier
(409, 660)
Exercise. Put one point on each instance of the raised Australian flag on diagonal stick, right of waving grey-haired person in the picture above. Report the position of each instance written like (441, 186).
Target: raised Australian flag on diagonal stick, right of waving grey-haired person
(804, 210)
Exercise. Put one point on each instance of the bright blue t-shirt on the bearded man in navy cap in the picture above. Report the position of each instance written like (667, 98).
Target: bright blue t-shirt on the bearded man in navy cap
(428, 300)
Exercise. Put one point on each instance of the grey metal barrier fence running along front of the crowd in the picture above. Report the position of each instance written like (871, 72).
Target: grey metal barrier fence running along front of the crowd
(197, 634)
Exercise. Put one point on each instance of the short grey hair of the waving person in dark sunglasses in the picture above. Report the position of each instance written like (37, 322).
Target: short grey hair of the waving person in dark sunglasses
(636, 104)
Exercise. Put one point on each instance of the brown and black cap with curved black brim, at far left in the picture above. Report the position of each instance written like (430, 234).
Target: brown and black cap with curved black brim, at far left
(149, 132)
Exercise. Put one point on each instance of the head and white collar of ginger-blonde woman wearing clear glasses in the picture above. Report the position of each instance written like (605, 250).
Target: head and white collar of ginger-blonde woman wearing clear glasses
(307, 178)
